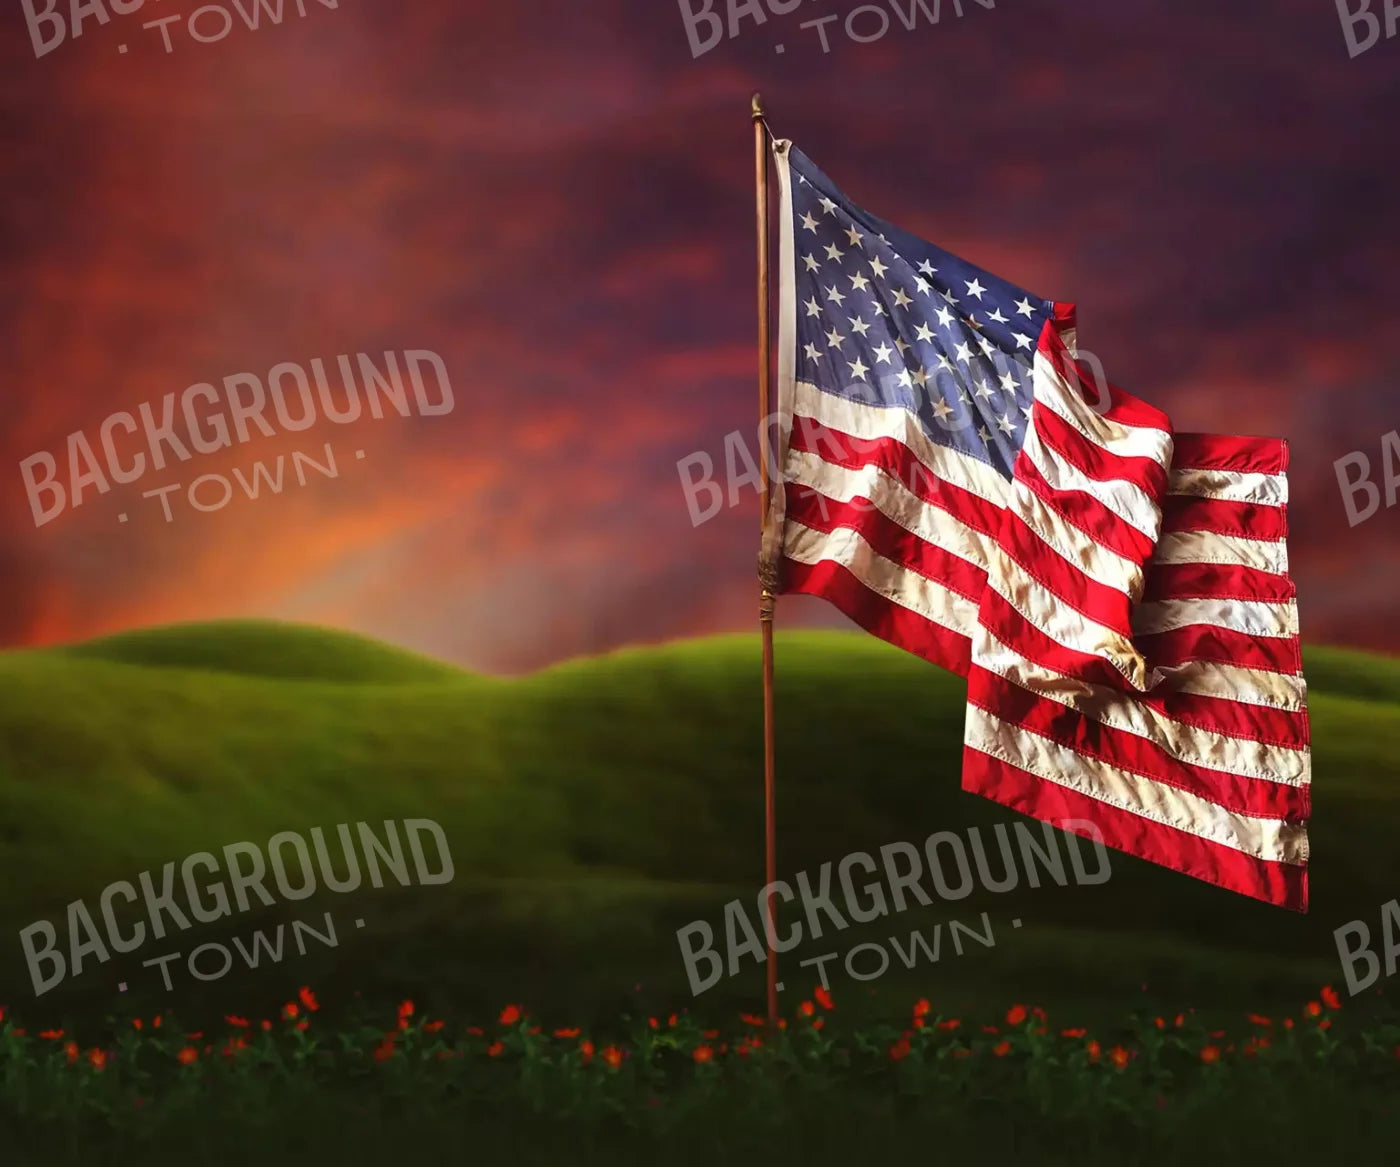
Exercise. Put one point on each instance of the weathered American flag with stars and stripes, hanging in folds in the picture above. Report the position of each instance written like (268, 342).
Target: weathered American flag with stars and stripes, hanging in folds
(1118, 595)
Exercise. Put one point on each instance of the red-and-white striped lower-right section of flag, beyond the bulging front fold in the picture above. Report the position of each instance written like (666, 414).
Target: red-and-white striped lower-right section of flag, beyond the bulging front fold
(1209, 773)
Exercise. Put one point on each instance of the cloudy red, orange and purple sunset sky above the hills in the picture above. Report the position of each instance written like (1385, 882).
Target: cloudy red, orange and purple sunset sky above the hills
(558, 201)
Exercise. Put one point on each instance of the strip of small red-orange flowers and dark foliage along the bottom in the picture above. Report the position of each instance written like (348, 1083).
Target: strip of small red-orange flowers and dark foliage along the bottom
(1018, 1082)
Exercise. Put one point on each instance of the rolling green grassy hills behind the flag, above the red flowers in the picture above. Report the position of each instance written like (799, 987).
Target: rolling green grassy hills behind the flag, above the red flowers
(597, 807)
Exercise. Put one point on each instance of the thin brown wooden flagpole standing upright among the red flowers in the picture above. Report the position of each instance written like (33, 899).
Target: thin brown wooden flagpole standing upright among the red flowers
(768, 601)
